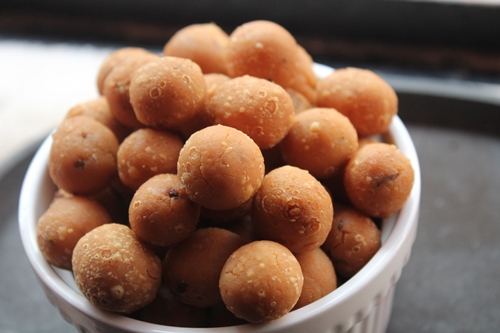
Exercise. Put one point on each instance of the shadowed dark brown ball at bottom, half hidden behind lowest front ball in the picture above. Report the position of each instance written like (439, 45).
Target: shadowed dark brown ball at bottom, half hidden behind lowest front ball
(192, 268)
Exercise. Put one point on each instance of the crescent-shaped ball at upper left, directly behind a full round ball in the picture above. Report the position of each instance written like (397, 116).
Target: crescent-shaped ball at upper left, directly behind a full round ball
(116, 88)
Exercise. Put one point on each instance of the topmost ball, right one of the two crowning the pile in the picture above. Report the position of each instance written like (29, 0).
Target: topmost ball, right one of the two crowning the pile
(266, 50)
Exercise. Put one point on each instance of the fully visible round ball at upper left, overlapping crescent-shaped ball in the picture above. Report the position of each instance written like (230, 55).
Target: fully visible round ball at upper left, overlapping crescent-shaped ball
(168, 92)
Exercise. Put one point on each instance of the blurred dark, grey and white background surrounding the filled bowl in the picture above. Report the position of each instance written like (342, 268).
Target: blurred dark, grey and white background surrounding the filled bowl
(442, 57)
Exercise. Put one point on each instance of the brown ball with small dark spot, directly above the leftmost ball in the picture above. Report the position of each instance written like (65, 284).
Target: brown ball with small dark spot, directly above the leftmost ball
(82, 158)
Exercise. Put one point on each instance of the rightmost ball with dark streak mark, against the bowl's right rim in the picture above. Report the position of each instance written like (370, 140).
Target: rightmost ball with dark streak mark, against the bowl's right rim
(378, 179)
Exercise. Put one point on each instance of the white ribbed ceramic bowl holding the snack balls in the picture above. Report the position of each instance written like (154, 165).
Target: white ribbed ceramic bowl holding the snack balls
(362, 304)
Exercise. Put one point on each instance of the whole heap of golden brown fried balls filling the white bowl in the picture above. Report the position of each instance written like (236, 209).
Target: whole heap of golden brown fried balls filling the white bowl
(199, 189)
